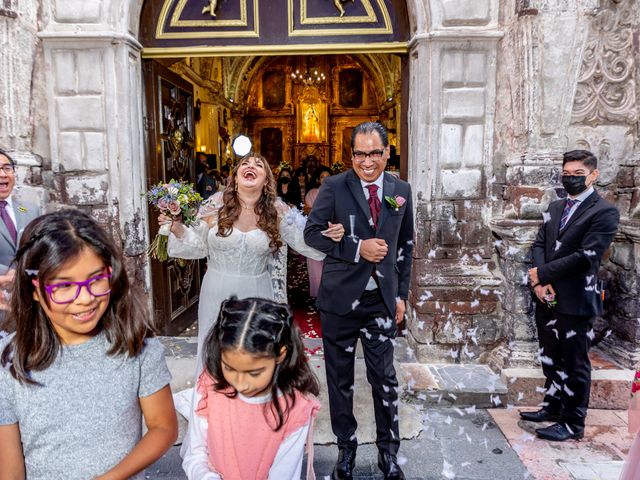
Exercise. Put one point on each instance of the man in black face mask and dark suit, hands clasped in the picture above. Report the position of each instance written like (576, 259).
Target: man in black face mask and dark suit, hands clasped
(566, 258)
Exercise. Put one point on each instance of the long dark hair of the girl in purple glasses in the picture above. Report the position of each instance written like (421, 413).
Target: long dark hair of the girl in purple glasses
(48, 242)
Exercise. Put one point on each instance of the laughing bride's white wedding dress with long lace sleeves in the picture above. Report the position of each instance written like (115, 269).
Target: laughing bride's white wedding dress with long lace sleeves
(239, 264)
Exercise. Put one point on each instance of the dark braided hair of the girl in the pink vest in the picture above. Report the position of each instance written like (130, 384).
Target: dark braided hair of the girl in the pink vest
(261, 328)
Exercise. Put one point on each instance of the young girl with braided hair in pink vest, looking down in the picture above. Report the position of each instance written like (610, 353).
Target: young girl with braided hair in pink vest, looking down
(254, 404)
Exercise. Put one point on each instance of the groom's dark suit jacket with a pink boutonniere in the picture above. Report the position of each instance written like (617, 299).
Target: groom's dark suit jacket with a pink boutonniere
(344, 279)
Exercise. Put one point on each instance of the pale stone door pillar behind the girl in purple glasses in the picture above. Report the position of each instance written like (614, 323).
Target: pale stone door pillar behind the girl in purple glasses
(95, 113)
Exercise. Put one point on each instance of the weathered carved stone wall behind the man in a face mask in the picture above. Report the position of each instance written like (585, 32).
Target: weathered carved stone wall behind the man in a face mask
(566, 79)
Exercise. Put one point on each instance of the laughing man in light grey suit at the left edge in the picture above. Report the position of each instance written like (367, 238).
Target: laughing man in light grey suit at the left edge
(15, 216)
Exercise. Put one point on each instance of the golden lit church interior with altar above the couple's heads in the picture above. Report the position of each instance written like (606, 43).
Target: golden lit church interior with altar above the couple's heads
(298, 111)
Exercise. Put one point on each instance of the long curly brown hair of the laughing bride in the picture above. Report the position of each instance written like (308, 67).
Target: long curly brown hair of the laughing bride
(265, 207)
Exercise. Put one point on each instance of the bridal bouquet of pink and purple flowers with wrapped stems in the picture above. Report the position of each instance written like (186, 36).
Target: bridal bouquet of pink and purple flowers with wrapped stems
(174, 199)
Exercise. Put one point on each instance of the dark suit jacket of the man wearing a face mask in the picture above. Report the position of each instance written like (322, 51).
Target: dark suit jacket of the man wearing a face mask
(569, 260)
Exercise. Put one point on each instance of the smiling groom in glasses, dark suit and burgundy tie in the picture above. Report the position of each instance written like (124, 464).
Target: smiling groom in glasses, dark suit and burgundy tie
(364, 287)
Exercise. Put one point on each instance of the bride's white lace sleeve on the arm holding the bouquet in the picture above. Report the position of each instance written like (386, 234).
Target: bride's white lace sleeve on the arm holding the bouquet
(193, 242)
